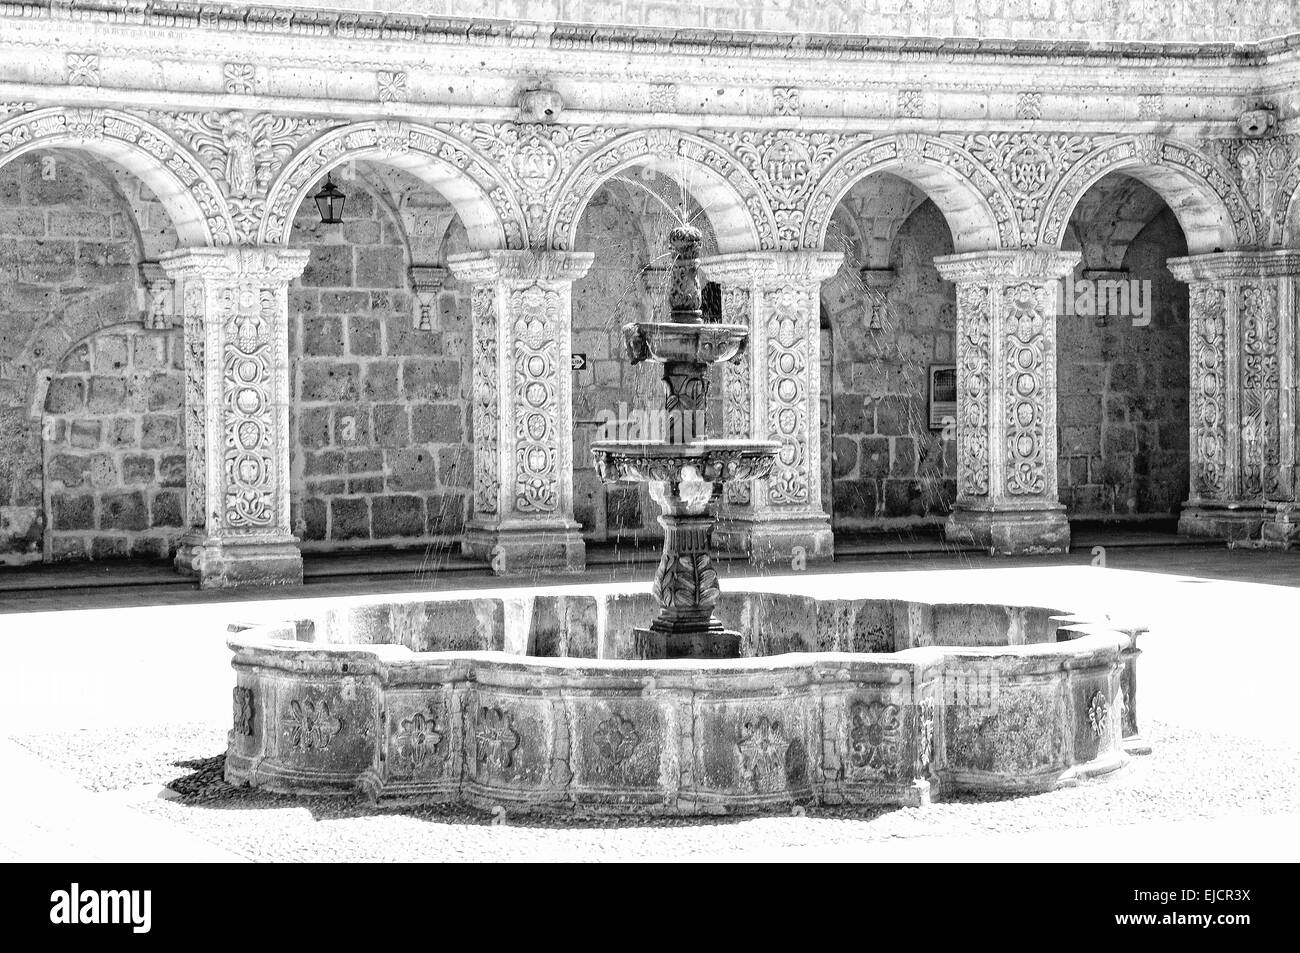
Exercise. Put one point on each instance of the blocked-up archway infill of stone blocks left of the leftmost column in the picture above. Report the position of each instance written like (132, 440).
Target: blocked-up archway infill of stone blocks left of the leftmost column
(115, 447)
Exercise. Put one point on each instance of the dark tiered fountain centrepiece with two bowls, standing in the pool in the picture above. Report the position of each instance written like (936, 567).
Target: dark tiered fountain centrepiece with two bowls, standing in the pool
(687, 471)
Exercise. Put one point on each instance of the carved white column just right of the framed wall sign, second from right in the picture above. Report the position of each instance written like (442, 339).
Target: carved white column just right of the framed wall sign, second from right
(1007, 462)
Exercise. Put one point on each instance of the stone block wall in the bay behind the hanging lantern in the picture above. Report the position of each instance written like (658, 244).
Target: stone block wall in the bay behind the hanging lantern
(382, 439)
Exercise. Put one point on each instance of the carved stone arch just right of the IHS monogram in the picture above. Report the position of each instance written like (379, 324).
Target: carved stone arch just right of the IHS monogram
(974, 203)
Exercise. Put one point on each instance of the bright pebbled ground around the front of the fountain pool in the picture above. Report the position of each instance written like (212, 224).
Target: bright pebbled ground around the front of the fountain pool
(1191, 776)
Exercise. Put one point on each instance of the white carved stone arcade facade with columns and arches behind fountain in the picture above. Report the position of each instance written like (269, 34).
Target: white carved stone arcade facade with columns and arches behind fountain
(233, 116)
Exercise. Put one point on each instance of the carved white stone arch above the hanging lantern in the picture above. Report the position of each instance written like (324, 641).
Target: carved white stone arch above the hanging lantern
(465, 177)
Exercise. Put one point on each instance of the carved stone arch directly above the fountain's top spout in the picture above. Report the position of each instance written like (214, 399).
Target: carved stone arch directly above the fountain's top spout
(730, 197)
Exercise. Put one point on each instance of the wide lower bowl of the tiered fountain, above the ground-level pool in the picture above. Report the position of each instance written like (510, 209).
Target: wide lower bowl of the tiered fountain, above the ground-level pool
(707, 461)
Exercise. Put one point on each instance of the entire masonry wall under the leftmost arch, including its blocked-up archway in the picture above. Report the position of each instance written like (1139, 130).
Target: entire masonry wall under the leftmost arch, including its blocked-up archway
(90, 404)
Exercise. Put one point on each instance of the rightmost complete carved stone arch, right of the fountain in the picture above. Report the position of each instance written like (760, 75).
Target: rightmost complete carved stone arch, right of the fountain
(1211, 210)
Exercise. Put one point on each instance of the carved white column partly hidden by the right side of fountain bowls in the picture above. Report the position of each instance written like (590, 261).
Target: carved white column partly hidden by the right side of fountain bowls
(774, 393)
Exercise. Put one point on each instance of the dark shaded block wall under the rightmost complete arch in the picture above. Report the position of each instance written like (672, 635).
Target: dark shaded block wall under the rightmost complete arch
(1123, 405)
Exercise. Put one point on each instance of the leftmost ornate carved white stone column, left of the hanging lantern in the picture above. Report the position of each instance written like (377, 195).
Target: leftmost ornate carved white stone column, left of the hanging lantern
(235, 305)
